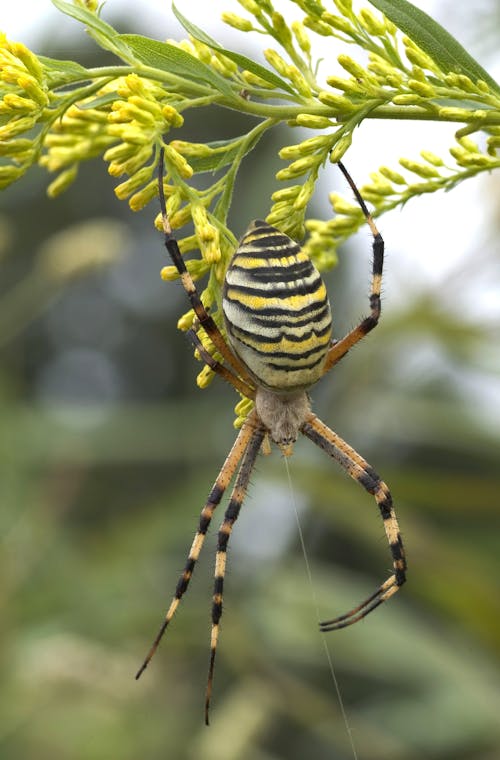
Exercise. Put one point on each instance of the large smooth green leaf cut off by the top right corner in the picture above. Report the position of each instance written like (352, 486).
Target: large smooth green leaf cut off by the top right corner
(433, 40)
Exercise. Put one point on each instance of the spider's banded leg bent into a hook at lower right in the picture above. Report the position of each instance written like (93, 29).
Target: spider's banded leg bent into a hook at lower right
(366, 476)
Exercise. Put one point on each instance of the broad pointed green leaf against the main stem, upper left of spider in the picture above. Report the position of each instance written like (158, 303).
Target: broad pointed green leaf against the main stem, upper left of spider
(166, 57)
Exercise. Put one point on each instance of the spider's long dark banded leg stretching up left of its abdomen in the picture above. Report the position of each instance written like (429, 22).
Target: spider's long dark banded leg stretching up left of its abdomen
(204, 318)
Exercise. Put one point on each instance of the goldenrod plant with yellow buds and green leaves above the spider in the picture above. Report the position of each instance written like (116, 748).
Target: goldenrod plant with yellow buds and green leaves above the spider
(58, 114)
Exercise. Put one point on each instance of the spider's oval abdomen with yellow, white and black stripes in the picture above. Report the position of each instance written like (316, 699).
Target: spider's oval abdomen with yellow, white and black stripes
(276, 310)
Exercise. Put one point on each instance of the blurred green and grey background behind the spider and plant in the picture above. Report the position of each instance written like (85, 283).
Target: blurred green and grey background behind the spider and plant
(108, 452)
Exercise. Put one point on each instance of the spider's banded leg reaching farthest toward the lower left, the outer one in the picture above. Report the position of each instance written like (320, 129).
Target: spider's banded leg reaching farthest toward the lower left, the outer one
(225, 476)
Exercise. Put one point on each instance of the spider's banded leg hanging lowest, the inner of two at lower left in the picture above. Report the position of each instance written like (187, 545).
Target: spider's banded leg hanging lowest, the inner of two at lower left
(230, 517)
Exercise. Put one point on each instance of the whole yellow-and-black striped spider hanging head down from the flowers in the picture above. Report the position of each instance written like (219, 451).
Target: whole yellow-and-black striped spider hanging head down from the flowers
(278, 324)
